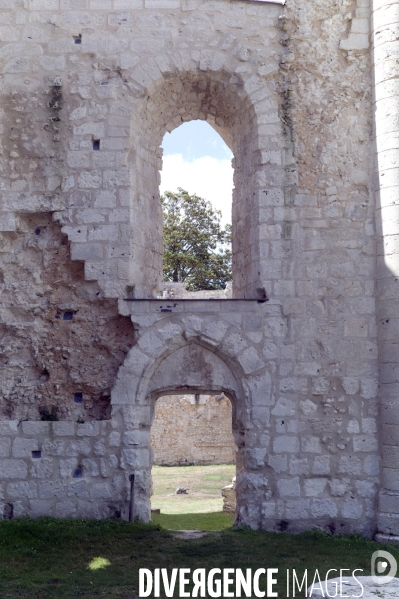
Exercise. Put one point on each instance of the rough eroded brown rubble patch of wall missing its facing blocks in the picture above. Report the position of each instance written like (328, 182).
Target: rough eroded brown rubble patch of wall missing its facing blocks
(61, 341)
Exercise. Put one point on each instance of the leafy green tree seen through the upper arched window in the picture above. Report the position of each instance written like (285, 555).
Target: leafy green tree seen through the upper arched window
(196, 248)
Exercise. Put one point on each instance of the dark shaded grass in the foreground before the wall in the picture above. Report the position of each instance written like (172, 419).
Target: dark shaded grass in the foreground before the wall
(59, 559)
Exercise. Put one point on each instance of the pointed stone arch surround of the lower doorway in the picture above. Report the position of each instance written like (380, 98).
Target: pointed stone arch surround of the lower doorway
(185, 365)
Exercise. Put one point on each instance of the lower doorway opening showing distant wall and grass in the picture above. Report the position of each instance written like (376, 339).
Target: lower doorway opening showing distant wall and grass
(194, 462)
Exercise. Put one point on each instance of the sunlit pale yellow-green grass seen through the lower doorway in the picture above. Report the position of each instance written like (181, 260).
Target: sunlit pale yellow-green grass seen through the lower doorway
(203, 484)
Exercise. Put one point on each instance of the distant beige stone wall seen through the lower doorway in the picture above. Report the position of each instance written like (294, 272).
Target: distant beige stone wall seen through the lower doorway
(193, 429)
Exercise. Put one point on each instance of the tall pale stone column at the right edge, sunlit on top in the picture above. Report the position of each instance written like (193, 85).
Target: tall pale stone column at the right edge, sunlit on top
(385, 23)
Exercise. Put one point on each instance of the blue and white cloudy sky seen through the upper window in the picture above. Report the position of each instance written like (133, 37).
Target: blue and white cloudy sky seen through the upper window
(197, 159)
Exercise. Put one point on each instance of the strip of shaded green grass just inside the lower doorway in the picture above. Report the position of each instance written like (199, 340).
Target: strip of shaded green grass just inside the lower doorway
(200, 521)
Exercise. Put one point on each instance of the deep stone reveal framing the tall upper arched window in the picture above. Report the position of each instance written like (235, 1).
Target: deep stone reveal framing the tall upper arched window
(220, 100)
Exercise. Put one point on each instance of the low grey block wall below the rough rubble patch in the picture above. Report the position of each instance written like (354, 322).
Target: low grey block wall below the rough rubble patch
(62, 469)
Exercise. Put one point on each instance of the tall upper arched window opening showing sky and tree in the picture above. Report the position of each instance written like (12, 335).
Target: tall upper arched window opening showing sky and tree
(196, 194)
